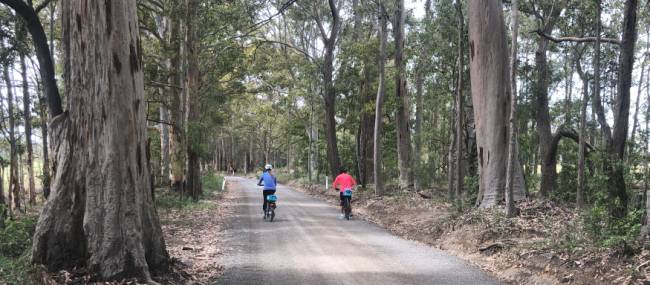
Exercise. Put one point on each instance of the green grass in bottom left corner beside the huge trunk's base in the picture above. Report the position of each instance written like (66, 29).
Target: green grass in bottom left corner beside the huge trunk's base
(15, 246)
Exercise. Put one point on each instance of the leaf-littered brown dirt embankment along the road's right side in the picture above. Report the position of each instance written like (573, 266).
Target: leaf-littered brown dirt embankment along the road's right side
(532, 248)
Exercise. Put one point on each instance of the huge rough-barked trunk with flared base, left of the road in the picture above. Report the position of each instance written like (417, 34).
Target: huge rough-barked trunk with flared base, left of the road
(100, 215)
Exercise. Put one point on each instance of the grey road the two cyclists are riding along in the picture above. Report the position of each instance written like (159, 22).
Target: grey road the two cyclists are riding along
(308, 244)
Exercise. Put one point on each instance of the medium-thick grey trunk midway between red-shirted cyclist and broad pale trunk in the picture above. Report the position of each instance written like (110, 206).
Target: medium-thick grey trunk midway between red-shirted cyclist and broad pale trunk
(401, 114)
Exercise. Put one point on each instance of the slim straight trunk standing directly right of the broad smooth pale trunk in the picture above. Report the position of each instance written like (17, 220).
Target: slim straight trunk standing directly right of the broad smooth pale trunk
(512, 136)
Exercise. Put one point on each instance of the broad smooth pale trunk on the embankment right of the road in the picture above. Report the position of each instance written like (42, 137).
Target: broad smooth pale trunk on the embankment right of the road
(489, 77)
